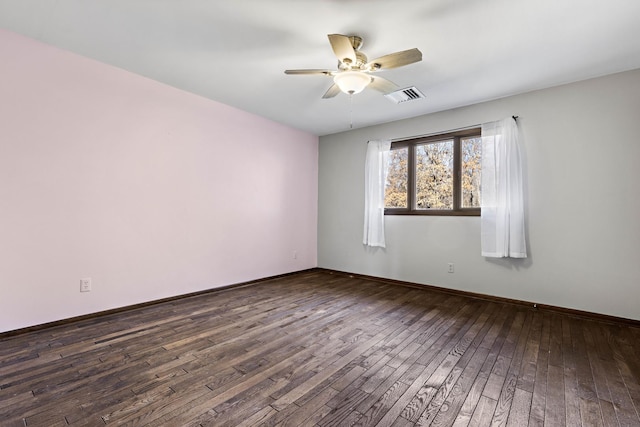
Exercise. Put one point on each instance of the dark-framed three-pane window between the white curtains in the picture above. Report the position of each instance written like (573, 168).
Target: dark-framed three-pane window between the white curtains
(436, 175)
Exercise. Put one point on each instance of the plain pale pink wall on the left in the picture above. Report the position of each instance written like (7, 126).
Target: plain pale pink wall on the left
(150, 191)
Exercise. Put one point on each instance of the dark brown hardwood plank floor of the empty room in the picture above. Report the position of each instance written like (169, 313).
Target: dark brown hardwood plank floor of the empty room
(320, 349)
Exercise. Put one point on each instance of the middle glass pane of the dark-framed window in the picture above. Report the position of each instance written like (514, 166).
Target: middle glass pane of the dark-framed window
(434, 175)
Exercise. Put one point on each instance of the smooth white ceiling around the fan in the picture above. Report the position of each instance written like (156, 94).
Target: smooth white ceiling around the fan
(236, 51)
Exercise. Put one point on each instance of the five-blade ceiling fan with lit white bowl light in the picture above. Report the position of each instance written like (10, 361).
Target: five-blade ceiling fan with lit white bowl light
(355, 71)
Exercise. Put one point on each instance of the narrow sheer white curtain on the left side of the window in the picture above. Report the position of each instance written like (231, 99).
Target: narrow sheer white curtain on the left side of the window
(374, 182)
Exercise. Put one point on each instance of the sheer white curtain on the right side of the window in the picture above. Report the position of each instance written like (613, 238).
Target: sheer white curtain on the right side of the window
(502, 221)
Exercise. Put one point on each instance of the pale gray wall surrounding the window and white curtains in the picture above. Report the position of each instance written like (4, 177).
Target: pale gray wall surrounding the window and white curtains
(582, 150)
